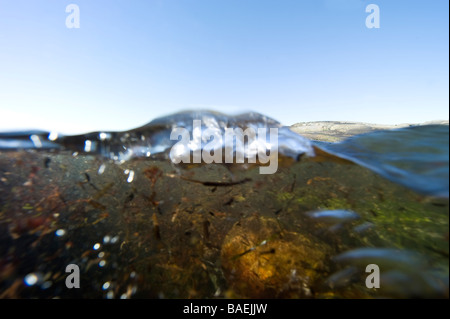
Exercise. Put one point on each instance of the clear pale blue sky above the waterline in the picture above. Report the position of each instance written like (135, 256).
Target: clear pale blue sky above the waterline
(293, 60)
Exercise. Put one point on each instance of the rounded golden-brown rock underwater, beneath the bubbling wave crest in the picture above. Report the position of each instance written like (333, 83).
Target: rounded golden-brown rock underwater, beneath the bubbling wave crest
(260, 260)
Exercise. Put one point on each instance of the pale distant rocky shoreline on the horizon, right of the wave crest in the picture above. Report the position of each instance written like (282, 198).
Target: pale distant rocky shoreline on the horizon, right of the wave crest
(335, 131)
